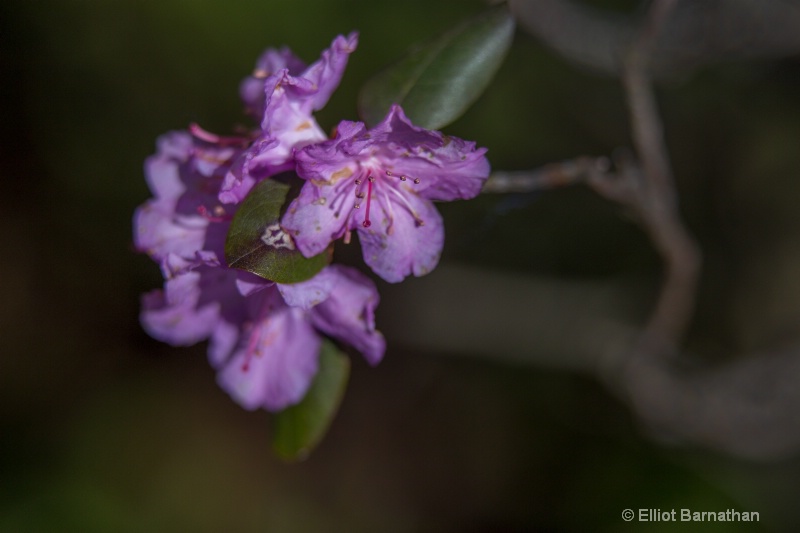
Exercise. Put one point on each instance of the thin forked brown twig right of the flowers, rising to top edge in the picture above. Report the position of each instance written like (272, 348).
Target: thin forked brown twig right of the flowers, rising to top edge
(646, 187)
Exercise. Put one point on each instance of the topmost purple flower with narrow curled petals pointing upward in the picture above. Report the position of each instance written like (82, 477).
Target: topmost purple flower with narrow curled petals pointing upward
(292, 92)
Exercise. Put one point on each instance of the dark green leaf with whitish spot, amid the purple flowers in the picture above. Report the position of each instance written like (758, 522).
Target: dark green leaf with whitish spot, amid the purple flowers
(256, 243)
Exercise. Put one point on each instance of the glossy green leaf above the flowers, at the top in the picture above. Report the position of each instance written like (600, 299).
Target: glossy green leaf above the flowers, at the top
(436, 84)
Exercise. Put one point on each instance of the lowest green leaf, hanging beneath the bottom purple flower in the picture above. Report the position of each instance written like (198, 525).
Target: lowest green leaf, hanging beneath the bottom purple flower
(298, 429)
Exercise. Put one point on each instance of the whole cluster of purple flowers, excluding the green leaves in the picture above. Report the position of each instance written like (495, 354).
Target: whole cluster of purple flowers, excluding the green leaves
(265, 337)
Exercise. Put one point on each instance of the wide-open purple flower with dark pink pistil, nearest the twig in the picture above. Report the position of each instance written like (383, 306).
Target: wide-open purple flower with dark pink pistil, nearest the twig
(380, 182)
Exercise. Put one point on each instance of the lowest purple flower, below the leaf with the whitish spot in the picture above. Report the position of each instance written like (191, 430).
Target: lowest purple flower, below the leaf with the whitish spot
(265, 338)
